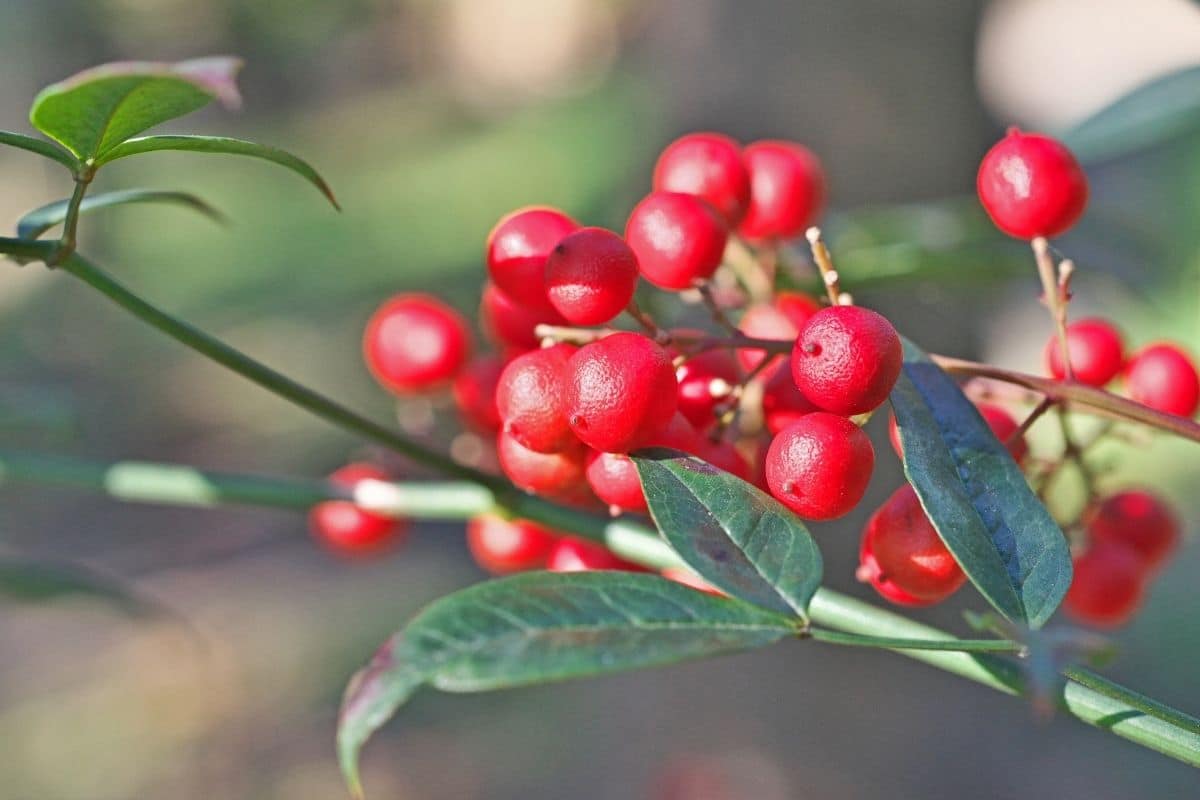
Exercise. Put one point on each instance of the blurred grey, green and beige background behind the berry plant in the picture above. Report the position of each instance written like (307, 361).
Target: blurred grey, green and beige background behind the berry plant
(431, 119)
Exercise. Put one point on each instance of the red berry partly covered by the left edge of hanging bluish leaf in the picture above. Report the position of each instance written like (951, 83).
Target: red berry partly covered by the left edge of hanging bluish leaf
(903, 556)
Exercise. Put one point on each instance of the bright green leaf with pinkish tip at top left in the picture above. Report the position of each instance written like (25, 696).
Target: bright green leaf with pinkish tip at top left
(97, 110)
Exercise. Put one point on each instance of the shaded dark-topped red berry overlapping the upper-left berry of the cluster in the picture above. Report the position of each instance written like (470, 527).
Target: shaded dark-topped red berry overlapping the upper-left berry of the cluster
(591, 276)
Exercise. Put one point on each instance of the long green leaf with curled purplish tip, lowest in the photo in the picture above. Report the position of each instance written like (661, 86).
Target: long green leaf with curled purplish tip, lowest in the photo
(541, 628)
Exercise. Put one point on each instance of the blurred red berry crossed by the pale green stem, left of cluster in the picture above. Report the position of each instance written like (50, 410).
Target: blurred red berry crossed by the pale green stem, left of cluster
(347, 530)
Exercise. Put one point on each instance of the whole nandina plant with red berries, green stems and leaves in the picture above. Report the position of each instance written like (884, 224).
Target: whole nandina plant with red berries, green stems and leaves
(658, 477)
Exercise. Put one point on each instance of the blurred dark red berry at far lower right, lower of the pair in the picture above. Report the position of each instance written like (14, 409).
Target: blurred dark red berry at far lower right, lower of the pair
(1107, 588)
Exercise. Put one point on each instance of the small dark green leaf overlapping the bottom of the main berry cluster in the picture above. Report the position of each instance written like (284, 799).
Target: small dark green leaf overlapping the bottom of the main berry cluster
(735, 536)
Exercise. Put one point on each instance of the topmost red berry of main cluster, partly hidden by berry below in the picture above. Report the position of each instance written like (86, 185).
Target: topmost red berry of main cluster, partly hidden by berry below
(709, 166)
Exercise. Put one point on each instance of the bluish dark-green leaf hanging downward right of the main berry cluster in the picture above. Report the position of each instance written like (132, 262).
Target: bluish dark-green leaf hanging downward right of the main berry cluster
(977, 497)
